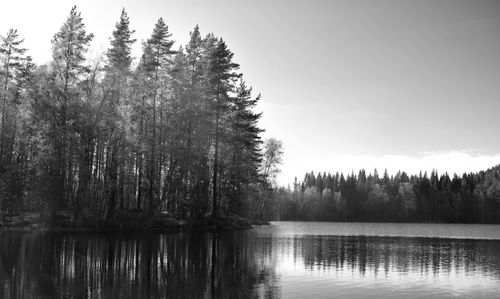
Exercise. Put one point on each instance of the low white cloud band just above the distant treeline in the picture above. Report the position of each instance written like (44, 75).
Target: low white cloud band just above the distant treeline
(456, 161)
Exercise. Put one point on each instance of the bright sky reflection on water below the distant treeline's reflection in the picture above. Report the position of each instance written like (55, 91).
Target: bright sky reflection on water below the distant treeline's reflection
(297, 279)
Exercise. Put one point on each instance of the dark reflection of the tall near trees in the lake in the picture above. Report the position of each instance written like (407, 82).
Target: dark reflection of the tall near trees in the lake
(182, 265)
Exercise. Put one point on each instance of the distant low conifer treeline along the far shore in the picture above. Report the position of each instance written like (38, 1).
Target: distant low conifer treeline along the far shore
(470, 198)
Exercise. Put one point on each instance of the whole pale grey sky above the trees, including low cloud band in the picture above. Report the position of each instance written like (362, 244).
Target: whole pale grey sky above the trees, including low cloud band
(387, 84)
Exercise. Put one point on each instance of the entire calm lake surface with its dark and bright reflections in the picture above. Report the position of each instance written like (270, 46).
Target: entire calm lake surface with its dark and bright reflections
(284, 260)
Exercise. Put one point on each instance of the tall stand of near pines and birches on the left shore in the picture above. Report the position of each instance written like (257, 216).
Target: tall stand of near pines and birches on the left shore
(94, 136)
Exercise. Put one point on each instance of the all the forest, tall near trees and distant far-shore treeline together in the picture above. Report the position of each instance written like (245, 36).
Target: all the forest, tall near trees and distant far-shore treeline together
(176, 133)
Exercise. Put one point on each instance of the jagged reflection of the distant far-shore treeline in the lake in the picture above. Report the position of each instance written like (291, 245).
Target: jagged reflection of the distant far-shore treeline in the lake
(426, 256)
